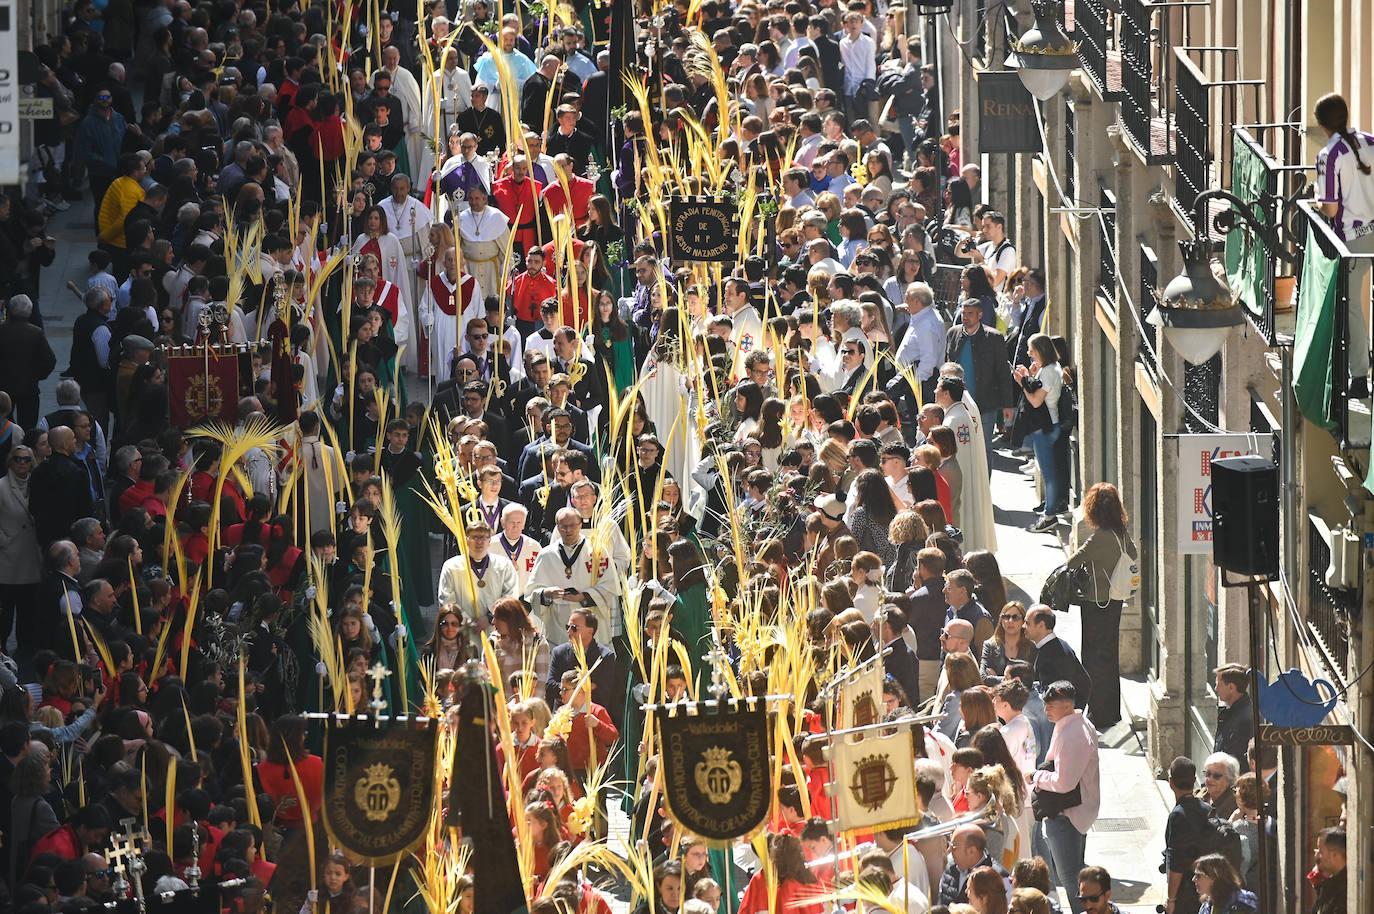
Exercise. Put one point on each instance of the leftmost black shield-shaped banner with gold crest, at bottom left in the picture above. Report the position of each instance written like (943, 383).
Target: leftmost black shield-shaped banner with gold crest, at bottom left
(379, 787)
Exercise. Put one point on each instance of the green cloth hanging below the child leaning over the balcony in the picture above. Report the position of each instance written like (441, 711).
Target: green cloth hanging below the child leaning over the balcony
(1314, 344)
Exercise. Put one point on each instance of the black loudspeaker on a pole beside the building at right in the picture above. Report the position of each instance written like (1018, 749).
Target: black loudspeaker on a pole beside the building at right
(1246, 516)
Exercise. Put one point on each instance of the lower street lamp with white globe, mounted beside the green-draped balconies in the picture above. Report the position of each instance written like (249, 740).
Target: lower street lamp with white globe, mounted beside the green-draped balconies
(1196, 310)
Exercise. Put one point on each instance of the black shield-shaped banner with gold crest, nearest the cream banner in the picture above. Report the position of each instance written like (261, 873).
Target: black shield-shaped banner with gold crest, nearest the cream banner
(715, 766)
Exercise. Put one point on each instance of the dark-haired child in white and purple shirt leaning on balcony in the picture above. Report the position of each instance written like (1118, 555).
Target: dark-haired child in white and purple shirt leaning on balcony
(1346, 193)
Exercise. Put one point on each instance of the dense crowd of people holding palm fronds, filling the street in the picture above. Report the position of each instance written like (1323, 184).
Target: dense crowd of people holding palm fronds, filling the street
(462, 331)
